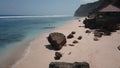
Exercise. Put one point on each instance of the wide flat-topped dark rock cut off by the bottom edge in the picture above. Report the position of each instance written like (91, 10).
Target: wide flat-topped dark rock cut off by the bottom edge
(69, 65)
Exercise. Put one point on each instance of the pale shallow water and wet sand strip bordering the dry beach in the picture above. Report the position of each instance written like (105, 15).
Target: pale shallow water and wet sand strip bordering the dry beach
(15, 51)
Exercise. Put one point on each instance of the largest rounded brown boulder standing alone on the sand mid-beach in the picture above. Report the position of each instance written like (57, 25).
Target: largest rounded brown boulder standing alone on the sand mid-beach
(57, 40)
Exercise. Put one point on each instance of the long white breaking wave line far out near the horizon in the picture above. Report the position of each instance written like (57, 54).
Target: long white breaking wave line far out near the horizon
(35, 16)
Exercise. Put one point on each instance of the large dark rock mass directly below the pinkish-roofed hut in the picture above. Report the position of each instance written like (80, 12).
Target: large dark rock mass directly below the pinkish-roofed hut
(101, 28)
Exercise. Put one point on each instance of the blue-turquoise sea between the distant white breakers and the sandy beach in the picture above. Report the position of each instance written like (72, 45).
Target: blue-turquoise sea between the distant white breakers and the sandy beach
(18, 30)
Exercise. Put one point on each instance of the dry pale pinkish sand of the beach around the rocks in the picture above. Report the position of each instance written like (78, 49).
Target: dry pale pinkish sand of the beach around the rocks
(99, 54)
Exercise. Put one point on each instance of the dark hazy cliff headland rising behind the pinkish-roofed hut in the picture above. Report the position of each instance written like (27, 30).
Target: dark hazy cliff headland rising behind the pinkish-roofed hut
(85, 9)
